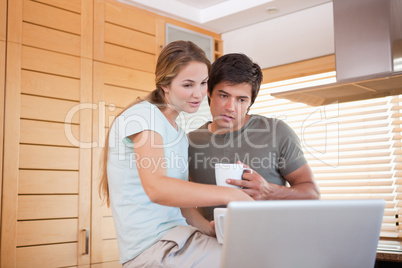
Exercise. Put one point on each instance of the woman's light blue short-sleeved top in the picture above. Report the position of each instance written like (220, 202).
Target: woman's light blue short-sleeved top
(139, 223)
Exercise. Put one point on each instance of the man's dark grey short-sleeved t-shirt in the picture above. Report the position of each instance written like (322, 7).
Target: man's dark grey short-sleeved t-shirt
(268, 145)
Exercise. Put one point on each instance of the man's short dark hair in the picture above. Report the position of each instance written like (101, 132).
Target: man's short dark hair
(234, 69)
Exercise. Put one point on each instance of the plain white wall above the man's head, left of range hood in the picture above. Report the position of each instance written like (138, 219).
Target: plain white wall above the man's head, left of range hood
(298, 36)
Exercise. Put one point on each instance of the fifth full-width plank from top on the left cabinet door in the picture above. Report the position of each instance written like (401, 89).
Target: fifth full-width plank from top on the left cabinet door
(49, 109)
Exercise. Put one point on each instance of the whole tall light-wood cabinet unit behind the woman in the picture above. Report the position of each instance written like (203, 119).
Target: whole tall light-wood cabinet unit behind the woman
(67, 68)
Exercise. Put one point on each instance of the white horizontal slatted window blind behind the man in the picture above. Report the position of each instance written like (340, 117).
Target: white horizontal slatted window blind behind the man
(354, 148)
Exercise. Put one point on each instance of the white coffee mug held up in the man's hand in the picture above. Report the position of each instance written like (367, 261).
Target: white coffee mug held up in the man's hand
(224, 171)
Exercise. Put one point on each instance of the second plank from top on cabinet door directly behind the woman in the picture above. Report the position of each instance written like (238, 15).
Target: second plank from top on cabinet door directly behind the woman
(129, 38)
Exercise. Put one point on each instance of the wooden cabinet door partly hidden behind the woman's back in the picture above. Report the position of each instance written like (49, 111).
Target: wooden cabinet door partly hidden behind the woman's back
(125, 56)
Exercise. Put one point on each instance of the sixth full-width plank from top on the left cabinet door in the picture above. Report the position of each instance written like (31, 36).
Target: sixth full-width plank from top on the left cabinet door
(46, 133)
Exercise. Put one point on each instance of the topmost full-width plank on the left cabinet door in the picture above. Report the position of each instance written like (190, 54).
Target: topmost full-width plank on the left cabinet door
(52, 17)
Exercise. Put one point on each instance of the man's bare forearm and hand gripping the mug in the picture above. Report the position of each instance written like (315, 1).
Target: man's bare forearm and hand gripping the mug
(302, 185)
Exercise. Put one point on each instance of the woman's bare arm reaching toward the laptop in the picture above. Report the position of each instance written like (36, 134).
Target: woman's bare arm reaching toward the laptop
(171, 191)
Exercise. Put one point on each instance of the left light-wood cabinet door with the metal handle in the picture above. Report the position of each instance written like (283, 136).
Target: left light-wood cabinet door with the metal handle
(47, 171)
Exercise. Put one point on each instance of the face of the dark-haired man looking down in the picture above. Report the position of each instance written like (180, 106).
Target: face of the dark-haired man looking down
(229, 104)
